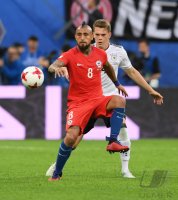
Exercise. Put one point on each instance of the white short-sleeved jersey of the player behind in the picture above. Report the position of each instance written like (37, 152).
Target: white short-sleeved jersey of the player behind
(117, 57)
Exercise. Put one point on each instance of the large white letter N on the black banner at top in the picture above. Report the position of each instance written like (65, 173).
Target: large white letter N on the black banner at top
(136, 17)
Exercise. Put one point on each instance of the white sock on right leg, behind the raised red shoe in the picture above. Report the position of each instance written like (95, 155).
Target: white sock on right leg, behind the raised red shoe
(125, 157)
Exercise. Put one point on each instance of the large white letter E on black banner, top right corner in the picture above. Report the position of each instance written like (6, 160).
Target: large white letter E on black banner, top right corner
(157, 14)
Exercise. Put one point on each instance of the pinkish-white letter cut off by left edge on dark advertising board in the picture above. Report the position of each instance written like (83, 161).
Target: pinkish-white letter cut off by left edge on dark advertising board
(10, 127)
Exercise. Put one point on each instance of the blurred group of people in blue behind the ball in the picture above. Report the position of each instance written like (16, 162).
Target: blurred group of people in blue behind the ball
(17, 57)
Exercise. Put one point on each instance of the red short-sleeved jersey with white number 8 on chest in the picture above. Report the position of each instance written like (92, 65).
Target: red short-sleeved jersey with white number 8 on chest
(84, 73)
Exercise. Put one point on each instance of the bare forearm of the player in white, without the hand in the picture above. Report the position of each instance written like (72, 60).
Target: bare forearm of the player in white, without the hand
(138, 78)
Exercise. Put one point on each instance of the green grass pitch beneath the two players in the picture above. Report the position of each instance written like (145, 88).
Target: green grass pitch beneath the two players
(91, 172)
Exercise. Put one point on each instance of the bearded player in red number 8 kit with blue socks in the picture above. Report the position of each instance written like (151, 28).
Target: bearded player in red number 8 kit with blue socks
(85, 97)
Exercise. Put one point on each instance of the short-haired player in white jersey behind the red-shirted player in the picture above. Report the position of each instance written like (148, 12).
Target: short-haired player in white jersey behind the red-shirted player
(117, 56)
